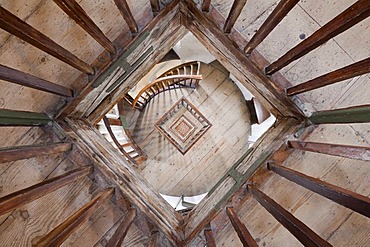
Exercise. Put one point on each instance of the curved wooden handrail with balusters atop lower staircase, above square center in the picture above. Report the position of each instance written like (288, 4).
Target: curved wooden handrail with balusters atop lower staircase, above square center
(175, 79)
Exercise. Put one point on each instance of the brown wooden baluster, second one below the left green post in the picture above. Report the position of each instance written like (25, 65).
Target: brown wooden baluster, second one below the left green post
(27, 195)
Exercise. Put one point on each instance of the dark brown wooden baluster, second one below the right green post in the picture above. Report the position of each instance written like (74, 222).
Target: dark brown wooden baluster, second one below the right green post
(349, 199)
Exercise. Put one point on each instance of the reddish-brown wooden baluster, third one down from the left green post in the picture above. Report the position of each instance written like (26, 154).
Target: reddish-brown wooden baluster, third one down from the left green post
(58, 235)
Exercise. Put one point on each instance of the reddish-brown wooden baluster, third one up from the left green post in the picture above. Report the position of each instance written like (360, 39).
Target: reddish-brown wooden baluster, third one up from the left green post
(76, 13)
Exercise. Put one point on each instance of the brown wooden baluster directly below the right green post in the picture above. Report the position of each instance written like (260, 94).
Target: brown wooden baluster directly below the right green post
(346, 151)
